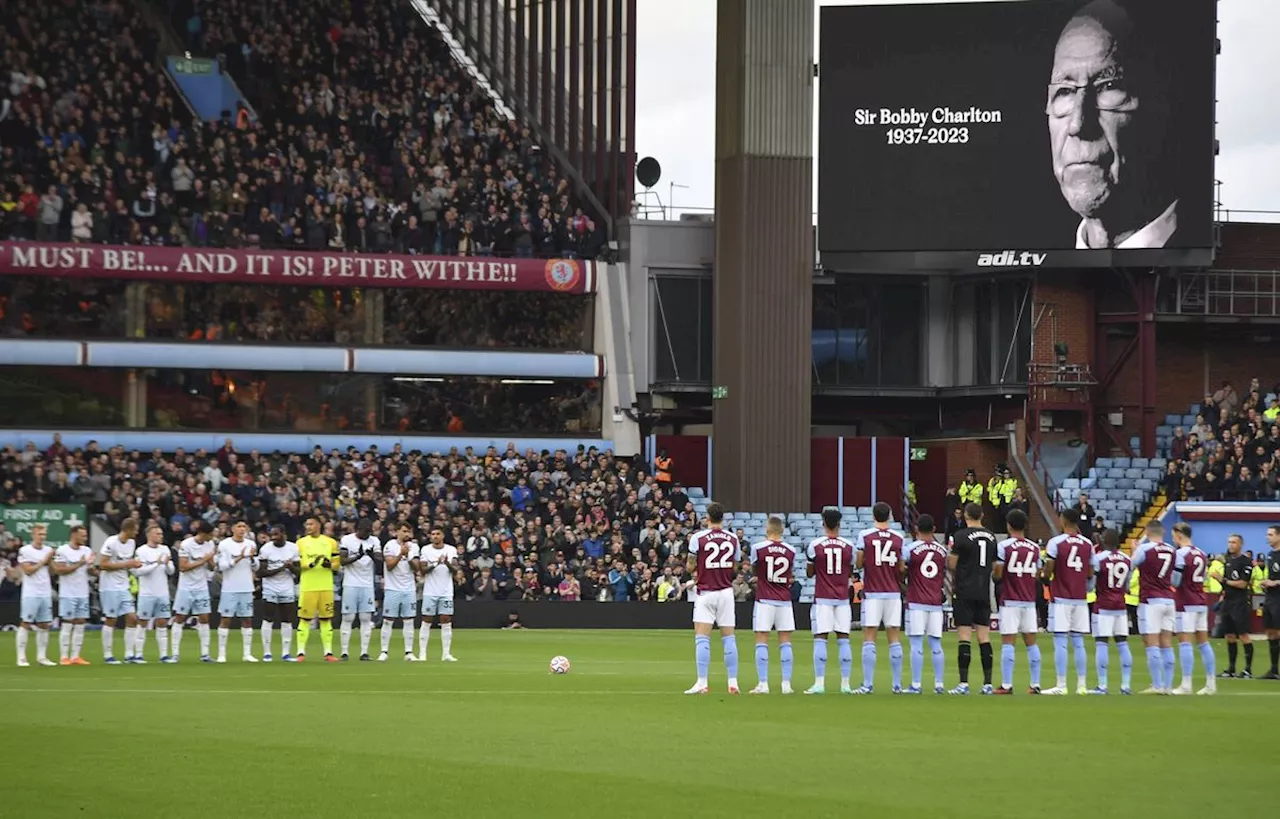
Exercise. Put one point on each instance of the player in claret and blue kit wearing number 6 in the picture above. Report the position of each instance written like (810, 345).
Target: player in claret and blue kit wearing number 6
(925, 565)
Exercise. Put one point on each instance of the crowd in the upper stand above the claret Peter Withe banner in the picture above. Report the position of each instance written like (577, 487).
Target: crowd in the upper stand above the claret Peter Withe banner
(369, 138)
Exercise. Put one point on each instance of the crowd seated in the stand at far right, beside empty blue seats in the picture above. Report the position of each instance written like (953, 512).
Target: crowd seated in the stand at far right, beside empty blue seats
(1233, 450)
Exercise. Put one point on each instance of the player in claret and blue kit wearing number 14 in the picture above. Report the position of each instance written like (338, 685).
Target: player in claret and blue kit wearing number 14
(880, 557)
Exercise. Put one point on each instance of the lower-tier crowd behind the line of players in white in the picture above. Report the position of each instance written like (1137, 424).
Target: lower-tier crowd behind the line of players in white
(565, 525)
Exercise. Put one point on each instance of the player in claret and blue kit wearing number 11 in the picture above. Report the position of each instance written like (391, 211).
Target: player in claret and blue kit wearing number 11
(831, 560)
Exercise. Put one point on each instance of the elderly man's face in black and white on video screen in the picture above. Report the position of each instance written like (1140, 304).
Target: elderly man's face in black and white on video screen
(1095, 112)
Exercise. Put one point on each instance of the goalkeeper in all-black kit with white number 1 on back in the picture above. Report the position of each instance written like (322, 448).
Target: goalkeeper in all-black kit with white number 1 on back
(973, 556)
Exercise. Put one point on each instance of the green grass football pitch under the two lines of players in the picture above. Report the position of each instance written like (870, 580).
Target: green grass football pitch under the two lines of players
(497, 735)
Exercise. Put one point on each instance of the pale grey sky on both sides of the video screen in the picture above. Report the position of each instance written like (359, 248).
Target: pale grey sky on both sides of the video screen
(676, 100)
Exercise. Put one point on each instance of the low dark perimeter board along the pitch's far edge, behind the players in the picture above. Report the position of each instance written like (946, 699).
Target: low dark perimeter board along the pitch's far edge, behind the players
(496, 615)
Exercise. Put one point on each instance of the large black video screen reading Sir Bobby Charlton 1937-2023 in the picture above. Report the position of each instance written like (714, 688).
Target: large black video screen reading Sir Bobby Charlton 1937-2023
(1035, 134)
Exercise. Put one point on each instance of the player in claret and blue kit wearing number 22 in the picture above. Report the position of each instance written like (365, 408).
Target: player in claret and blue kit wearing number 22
(714, 555)
